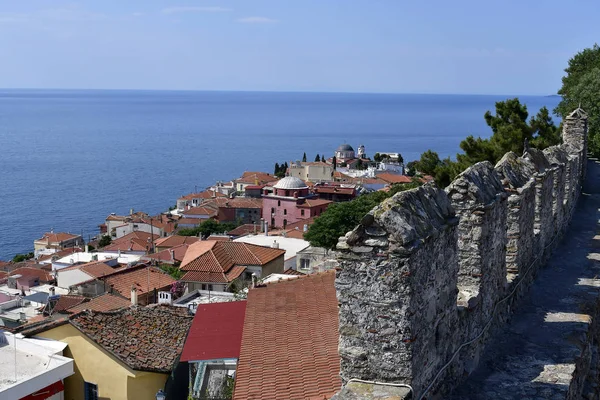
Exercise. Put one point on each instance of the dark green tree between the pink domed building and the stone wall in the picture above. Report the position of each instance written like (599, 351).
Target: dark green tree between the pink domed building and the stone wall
(340, 218)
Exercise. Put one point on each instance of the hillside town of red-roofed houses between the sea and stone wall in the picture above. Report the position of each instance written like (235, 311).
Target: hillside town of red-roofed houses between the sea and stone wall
(195, 301)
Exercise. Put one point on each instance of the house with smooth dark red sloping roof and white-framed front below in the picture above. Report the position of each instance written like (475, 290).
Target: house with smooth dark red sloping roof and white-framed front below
(213, 346)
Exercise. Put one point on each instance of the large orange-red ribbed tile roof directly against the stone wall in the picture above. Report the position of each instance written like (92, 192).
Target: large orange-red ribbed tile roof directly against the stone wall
(275, 364)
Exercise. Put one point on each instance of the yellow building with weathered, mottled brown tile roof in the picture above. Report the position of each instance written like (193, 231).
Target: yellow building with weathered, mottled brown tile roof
(120, 355)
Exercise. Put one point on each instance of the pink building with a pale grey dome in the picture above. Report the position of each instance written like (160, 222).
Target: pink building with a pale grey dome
(290, 202)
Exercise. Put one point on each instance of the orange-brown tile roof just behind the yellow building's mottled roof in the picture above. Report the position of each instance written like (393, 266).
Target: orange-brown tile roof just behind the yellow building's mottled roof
(142, 277)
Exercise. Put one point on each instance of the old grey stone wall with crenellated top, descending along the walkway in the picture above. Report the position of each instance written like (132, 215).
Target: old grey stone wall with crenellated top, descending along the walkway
(429, 274)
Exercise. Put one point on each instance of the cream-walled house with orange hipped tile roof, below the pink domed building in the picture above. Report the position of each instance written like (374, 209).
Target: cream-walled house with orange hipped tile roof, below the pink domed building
(216, 265)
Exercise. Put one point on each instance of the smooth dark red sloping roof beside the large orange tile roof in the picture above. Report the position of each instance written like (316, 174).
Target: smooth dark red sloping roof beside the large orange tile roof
(216, 332)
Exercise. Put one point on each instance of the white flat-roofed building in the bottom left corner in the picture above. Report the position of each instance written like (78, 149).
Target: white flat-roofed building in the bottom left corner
(32, 367)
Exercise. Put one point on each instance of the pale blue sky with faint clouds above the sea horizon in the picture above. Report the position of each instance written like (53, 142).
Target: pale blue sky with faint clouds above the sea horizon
(436, 46)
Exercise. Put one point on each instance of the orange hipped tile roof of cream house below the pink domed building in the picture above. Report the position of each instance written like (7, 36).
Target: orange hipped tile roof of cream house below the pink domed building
(215, 259)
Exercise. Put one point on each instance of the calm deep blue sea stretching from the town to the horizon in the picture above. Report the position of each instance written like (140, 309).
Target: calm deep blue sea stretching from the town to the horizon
(69, 158)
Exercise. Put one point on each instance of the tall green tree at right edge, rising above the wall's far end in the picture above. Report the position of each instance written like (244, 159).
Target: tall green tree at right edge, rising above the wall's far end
(581, 87)
